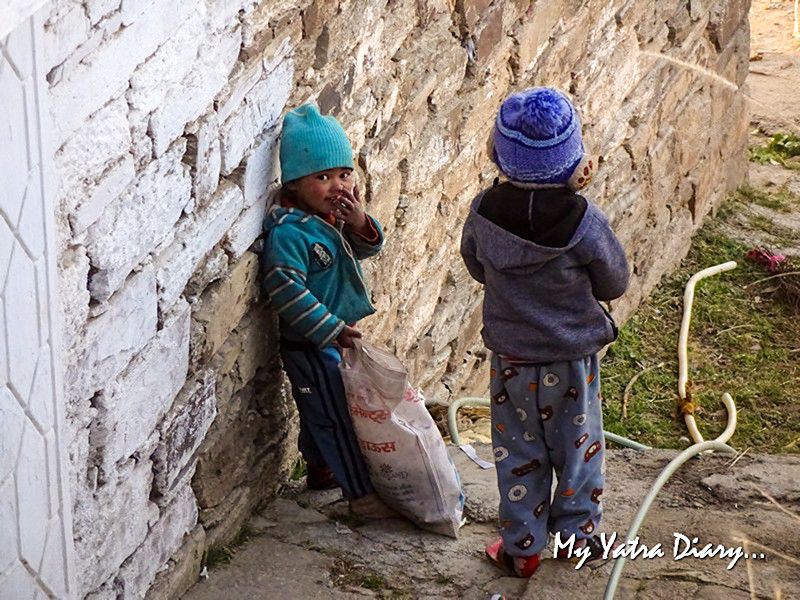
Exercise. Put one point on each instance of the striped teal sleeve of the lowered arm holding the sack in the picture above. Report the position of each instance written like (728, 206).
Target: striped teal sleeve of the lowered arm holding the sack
(285, 269)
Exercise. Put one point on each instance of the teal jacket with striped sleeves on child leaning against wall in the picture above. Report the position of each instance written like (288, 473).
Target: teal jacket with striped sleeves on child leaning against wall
(312, 276)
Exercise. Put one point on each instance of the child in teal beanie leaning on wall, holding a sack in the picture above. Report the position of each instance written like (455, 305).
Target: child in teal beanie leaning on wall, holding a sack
(315, 237)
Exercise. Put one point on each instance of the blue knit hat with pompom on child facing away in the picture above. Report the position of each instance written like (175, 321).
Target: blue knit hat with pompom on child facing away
(537, 139)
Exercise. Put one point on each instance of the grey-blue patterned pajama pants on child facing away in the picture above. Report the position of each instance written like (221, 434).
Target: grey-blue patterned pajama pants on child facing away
(547, 418)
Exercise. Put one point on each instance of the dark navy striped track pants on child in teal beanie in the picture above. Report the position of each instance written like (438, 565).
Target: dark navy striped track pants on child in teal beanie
(326, 431)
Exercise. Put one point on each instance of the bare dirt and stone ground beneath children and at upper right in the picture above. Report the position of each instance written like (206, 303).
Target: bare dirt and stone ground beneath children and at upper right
(305, 545)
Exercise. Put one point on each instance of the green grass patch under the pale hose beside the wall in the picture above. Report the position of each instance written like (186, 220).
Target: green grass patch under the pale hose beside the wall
(740, 342)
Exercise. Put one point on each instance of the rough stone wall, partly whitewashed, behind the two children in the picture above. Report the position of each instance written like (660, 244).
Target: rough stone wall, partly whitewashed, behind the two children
(165, 117)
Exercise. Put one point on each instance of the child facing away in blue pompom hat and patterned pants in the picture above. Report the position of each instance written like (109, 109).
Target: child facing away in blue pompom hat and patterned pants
(547, 257)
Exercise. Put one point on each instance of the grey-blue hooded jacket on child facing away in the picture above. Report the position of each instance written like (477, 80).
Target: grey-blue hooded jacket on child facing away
(541, 303)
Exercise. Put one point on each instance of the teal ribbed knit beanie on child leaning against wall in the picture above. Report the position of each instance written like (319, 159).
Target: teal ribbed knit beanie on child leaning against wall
(311, 143)
